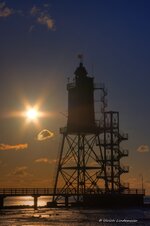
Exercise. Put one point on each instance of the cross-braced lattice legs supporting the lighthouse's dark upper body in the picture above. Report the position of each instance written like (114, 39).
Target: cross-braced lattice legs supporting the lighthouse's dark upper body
(74, 170)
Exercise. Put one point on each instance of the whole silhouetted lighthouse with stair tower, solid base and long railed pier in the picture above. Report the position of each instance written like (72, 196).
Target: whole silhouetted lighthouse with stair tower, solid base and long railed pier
(88, 168)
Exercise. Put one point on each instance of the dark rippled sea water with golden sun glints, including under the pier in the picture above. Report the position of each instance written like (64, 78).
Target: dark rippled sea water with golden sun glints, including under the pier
(70, 217)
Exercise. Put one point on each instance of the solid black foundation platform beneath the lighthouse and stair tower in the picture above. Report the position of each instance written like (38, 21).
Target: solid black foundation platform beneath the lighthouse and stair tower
(103, 201)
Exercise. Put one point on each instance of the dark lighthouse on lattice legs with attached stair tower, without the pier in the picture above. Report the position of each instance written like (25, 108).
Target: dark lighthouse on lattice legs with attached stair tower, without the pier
(89, 157)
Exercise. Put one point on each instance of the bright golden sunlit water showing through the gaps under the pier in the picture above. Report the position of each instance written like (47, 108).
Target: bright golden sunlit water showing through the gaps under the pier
(25, 201)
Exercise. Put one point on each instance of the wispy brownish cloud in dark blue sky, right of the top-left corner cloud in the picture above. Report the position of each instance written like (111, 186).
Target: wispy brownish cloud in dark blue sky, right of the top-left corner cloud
(42, 16)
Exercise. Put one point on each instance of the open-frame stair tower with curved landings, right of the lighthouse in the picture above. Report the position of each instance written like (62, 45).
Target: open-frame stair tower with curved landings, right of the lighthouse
(112, 153)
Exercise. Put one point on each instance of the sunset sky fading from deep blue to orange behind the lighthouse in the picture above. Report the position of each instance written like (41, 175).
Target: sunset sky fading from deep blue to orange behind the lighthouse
(39, 44)
